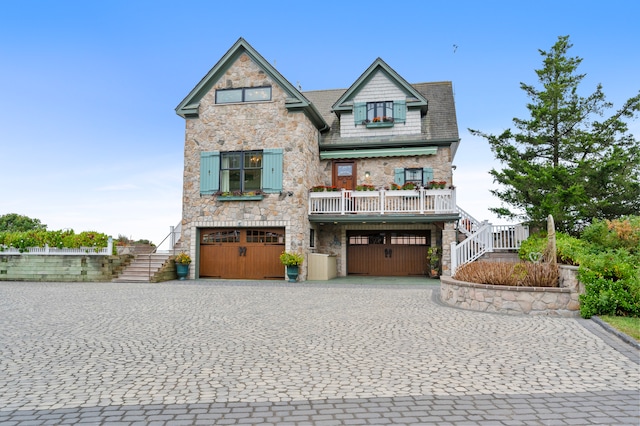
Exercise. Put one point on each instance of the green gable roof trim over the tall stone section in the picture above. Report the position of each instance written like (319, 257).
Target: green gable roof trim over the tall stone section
(295, 100)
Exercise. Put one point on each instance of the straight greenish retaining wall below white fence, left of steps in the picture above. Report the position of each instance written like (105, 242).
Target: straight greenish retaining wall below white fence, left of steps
(61, 267)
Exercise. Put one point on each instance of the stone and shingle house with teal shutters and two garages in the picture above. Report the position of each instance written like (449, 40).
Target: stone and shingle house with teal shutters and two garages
(363, 173)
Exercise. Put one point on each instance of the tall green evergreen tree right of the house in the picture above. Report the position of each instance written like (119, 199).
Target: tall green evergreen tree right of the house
(567, 159)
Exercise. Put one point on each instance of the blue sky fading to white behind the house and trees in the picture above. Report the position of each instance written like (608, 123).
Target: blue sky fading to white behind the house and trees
(89, 139)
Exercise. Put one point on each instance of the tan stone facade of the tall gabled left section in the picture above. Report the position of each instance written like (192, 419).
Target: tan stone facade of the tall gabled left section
(251, 126)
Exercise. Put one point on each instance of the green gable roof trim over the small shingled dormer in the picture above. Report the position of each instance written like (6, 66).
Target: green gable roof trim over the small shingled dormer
(414, 98)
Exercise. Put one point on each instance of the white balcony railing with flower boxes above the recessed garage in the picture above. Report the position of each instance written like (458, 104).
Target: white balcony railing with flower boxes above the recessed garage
(419, 201)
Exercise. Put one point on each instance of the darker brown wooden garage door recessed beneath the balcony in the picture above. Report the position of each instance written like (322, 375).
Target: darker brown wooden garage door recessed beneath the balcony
(388, 253)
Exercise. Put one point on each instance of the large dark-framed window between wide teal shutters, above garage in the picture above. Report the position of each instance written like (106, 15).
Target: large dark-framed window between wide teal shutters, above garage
(240, 171)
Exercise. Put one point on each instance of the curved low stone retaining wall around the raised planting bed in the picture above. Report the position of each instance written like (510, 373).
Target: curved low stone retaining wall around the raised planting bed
(560, 301)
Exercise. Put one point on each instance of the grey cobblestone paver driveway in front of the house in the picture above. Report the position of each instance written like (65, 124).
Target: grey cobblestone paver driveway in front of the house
(205, 352)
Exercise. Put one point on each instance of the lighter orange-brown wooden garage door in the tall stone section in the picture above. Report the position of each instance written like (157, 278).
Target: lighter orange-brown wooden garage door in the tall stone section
(240, 253)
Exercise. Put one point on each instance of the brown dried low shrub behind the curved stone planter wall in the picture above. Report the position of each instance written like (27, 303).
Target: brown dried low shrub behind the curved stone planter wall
(525, 274)
